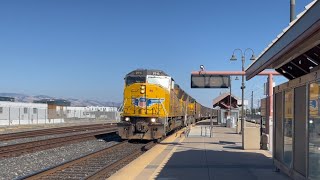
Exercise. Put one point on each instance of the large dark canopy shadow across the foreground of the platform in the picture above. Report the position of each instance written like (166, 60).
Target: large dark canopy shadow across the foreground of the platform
(219, 165)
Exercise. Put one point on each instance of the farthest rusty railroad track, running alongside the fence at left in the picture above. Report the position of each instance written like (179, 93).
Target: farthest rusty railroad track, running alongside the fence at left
(52, 131)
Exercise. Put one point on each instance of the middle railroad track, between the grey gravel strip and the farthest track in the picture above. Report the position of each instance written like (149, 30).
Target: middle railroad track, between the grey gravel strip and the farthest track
(29, 147)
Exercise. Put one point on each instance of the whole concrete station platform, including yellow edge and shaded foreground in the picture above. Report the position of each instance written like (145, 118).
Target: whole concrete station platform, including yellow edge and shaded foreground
(202, 158)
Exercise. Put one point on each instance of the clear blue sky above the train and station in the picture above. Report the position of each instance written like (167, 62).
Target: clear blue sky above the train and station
(83, 49)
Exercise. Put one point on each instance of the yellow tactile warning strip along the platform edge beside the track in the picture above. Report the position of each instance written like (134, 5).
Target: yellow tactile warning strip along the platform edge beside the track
(148, 165)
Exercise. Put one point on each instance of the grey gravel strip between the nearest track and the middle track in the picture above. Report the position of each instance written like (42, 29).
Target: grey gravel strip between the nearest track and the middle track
(15, 167)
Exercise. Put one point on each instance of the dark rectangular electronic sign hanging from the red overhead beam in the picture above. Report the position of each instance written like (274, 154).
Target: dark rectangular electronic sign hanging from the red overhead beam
(210, 81)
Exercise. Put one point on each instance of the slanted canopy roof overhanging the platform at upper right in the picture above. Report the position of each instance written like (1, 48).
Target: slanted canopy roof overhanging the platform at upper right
(296, 50)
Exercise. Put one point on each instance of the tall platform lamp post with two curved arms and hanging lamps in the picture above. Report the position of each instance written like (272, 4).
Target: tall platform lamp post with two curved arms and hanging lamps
(234, 58)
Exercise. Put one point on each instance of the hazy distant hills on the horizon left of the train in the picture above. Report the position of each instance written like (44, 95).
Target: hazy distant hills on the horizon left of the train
(74, 102)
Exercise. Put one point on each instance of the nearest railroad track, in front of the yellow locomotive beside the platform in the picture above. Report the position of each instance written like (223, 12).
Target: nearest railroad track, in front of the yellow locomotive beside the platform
(98, 165)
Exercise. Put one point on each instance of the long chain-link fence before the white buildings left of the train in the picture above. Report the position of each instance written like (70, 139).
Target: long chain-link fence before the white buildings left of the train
(30, 115)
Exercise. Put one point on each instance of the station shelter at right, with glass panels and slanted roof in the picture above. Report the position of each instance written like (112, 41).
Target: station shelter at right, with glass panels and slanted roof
(295, 122)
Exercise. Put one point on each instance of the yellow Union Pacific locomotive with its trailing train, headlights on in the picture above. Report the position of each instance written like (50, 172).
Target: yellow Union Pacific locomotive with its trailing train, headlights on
(154, 105)
